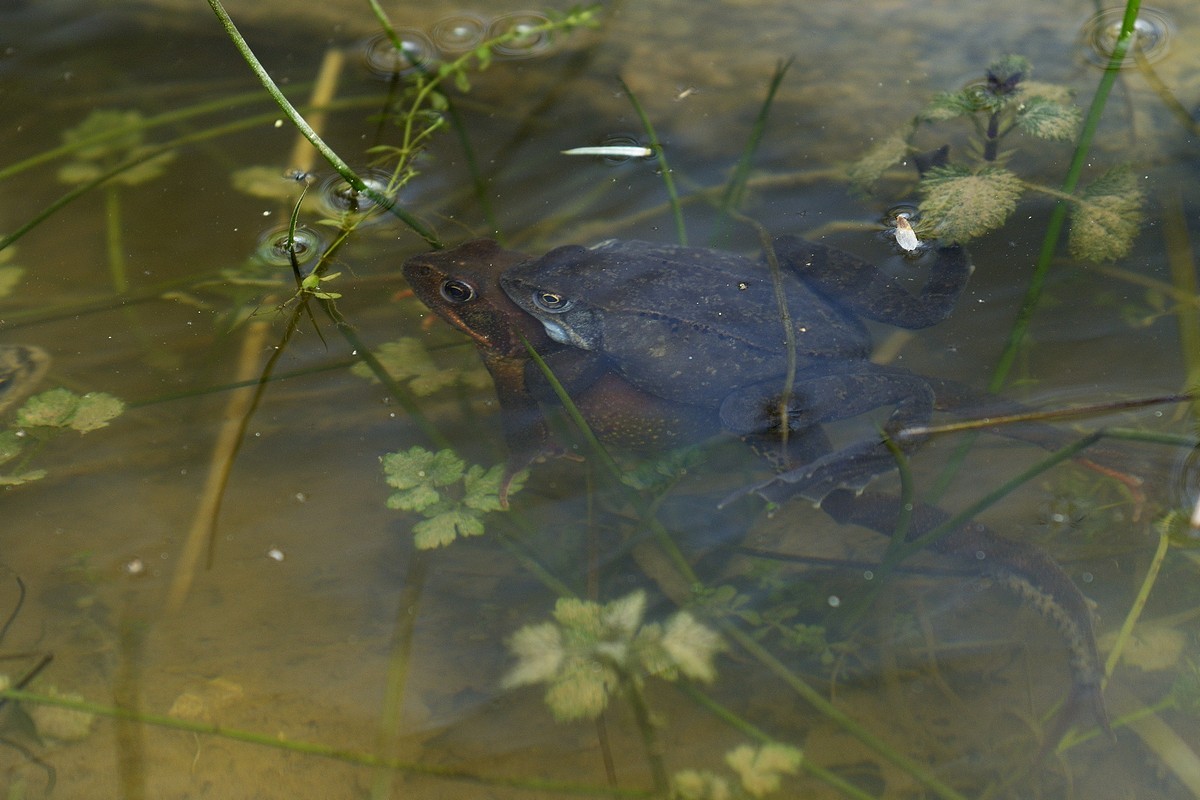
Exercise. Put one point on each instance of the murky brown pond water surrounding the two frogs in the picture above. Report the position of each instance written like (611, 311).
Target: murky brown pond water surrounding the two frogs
(218, 557)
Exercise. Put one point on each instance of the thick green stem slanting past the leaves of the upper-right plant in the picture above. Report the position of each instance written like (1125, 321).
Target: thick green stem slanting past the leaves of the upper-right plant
(1059, 216)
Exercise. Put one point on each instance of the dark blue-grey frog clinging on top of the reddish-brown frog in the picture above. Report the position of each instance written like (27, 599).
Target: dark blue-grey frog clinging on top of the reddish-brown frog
(703, 327)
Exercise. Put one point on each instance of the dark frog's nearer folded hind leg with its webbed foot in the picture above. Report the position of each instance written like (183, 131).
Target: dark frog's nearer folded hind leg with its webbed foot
(830, 394)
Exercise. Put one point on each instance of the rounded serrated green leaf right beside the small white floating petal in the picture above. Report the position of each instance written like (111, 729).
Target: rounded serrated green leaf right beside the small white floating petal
(962, 204)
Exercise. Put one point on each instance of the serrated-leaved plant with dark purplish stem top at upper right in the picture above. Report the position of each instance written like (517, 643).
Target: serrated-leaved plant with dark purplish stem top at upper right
(964, 201)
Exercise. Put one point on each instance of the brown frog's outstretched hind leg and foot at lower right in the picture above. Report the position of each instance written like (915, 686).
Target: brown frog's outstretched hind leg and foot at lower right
(1024, 570)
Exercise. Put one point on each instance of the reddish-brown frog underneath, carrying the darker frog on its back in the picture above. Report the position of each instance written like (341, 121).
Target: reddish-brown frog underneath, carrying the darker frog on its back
(463, 286)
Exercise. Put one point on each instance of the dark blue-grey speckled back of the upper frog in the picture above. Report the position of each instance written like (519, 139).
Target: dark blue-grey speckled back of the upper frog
(694, 323)
